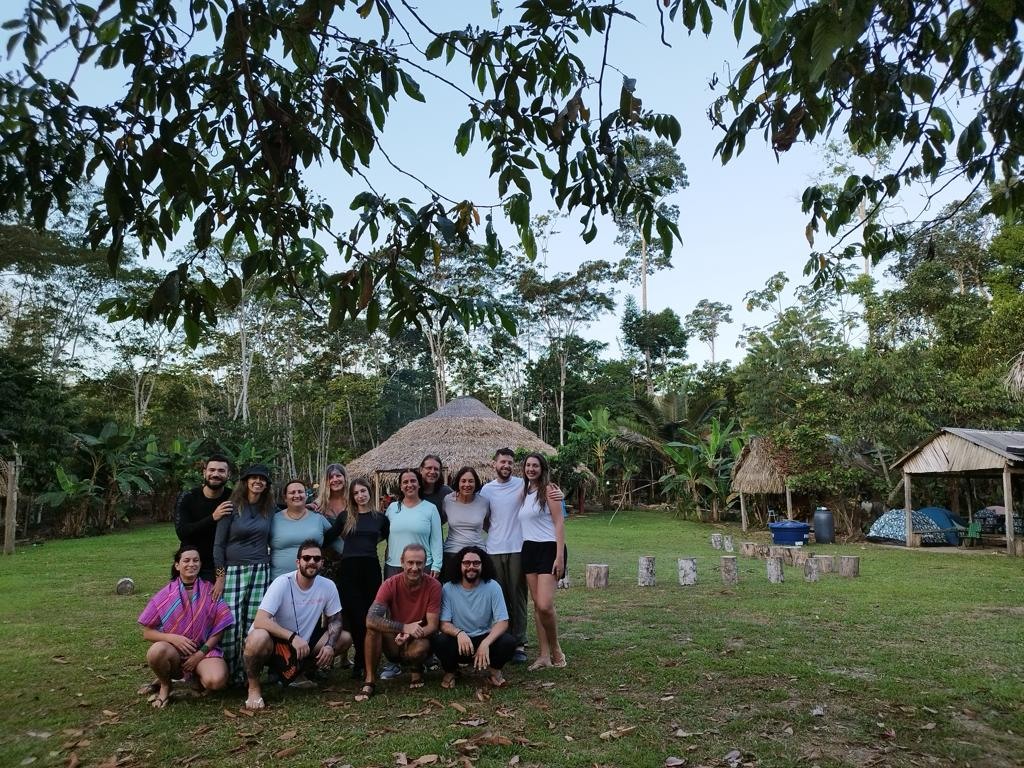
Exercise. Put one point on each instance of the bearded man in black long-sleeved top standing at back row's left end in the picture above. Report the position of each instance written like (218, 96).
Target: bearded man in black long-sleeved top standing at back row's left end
(198, 510)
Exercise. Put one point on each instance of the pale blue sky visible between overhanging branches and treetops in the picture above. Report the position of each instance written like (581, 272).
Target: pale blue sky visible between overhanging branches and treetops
(741, 224)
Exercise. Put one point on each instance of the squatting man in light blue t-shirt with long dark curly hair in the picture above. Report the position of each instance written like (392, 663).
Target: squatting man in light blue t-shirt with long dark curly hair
(475, 620)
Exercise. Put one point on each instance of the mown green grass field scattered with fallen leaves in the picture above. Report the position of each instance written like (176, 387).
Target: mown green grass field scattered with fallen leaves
(917, 663)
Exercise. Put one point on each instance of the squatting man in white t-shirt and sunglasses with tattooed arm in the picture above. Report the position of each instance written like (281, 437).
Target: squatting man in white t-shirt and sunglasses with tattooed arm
(288, 634)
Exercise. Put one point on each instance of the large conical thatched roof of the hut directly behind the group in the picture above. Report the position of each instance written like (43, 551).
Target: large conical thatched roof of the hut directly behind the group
(463, 433)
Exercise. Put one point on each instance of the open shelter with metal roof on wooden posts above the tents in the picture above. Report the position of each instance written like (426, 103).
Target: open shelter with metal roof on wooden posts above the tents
(966, 453)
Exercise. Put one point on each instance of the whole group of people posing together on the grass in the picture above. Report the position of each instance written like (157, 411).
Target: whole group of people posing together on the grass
(291, 586)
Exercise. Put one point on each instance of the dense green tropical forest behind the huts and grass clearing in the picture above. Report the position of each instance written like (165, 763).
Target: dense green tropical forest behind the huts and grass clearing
(110, 419)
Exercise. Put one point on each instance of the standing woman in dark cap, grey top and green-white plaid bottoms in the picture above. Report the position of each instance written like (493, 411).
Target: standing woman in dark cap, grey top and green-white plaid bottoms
(242, 557)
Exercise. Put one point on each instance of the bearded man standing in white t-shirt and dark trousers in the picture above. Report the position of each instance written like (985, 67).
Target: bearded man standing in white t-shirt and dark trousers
(505, 542)
